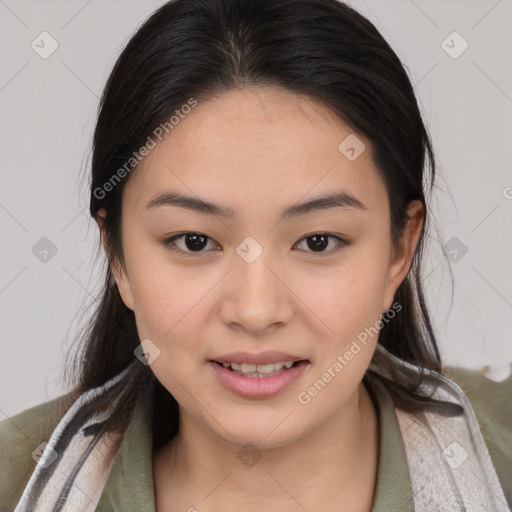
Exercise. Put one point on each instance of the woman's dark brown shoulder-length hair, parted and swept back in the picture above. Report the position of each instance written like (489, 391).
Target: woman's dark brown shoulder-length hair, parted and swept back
(201, 48)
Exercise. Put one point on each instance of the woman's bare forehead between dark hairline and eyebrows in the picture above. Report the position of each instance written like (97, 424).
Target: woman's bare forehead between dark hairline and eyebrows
(262, 145)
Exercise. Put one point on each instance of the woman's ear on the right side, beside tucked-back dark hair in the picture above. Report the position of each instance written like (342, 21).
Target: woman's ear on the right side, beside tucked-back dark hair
(402, 255)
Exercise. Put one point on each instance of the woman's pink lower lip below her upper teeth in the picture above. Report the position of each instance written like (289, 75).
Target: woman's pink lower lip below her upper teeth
(258, 387)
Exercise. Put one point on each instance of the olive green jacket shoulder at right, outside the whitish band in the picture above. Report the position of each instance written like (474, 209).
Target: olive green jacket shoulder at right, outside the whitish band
(490, 394)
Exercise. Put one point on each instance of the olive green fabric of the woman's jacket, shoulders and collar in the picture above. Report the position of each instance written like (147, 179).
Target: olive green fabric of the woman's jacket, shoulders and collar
(129, 486)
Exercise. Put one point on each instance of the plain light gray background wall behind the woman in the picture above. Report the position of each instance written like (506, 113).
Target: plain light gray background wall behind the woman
(48, 113)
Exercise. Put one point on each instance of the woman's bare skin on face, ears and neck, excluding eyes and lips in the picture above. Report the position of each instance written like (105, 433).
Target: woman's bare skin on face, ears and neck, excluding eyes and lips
(259, 150)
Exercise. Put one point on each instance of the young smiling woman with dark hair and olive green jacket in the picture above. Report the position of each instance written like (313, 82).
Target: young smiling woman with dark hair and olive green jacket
(259, 180)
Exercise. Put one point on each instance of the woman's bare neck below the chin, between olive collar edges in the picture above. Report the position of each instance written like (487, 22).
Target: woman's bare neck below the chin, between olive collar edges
(338, 462)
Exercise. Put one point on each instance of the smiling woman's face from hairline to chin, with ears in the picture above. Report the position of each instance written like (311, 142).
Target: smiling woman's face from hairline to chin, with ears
(307, 284)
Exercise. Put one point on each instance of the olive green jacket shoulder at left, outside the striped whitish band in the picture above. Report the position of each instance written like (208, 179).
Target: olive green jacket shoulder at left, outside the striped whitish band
(20, 437)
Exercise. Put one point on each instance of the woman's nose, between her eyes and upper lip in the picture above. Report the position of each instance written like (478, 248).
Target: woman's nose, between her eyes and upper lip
(257, 298)
